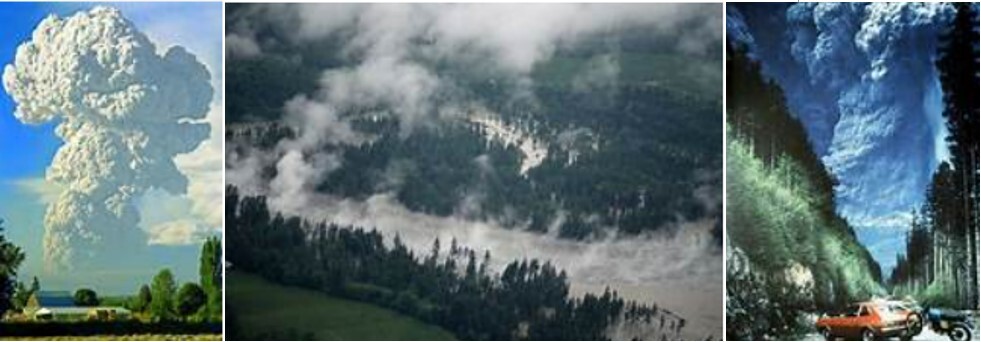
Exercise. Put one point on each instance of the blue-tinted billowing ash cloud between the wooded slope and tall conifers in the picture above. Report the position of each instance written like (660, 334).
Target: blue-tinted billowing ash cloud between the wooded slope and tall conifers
(875, 61)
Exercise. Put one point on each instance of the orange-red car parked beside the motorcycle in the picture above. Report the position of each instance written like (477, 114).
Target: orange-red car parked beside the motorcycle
(867, 321)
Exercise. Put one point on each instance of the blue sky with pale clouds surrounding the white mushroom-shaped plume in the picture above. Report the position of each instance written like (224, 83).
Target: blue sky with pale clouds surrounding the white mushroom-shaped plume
(27, 150)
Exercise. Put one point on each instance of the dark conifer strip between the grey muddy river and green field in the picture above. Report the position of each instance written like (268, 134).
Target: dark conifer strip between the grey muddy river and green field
(527, 300)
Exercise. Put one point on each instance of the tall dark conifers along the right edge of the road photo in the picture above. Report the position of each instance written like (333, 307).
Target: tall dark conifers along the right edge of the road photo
(940, 264)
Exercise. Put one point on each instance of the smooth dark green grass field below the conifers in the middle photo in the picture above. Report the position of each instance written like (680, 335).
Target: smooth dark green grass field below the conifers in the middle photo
(263, 307)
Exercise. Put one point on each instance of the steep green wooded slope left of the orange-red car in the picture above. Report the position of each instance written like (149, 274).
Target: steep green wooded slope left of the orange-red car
(790, 253)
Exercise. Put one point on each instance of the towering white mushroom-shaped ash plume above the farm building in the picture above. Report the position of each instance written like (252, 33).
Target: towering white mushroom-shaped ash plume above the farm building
(123, 112)
